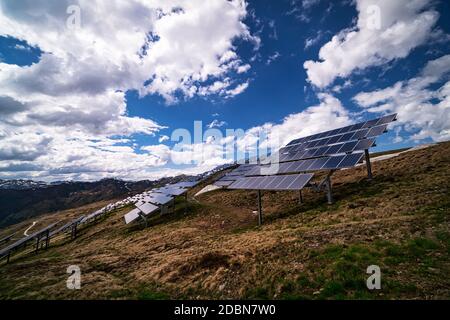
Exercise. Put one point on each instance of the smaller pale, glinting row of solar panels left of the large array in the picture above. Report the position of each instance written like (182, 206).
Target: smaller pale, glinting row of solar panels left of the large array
(152, 201)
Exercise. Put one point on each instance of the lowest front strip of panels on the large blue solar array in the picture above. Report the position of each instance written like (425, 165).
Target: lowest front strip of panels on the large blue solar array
(285, 182)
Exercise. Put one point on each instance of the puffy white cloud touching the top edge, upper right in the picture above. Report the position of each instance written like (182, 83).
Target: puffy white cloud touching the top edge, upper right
(385, 30)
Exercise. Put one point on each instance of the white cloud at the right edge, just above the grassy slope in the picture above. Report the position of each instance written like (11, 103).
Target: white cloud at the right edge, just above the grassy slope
(422, 103)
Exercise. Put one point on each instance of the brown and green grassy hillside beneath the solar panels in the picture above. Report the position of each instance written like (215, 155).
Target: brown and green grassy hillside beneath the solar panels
(399, 221)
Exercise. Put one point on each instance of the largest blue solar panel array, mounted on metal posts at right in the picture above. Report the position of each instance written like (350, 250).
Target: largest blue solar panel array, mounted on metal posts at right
(331, 150)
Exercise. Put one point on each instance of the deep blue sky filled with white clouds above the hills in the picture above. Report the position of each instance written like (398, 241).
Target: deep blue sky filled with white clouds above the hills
(88, 102)
